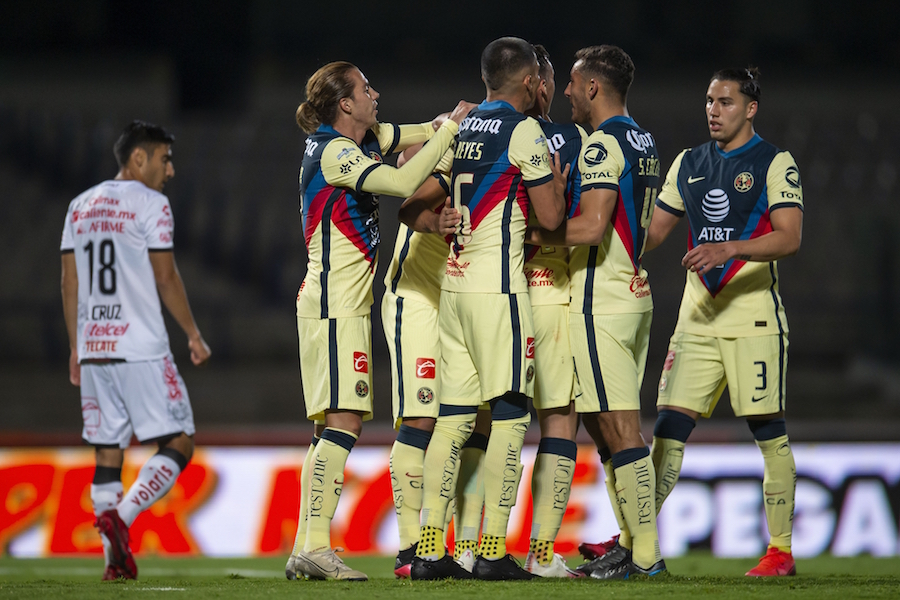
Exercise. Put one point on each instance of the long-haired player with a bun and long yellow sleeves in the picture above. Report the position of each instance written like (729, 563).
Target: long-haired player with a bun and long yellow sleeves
(341, 175)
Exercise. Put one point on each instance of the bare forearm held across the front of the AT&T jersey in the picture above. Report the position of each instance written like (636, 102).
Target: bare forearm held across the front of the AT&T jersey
(782, 241)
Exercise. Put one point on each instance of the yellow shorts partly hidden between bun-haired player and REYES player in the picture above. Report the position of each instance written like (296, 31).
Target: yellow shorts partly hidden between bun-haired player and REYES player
(413, 339)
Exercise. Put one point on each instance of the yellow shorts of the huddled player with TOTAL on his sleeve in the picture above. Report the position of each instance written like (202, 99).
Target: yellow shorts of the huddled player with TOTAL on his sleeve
(610, 356)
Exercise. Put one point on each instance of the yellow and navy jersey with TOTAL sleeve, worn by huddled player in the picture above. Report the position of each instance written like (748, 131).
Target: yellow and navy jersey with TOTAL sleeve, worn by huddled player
(609, 278)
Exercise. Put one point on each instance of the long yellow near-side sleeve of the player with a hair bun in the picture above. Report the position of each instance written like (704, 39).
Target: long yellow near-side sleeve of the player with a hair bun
(344, 165)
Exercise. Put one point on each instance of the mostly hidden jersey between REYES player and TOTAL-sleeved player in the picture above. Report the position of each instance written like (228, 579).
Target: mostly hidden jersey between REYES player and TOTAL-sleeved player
(547, 267)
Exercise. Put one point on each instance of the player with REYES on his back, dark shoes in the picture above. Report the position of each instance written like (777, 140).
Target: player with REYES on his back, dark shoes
(501, 164)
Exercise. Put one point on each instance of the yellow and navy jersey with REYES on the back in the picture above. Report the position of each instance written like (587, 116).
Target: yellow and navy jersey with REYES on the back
(499, 154)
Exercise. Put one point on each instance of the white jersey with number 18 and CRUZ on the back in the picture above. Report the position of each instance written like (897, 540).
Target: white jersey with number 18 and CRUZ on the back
(112, 228)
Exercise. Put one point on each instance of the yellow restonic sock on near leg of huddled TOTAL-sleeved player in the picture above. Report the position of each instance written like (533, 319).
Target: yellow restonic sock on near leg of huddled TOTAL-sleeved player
(635, 489)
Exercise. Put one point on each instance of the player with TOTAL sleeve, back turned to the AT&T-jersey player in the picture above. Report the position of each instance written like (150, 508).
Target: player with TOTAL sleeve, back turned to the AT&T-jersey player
(611, 306)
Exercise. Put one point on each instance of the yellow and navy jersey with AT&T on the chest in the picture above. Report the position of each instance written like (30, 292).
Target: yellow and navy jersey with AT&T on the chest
(729, 196)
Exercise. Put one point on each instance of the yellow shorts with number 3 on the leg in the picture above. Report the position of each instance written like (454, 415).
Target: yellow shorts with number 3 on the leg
(698, 368)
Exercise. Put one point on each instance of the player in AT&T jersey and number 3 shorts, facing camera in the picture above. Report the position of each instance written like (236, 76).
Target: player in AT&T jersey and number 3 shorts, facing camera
(744, 204)
